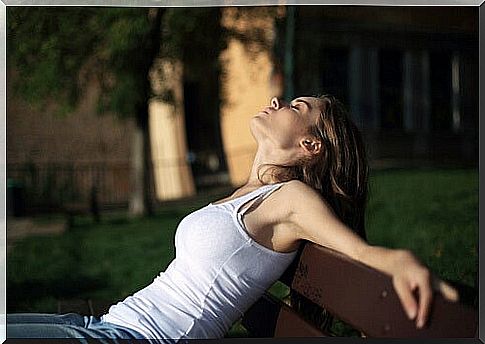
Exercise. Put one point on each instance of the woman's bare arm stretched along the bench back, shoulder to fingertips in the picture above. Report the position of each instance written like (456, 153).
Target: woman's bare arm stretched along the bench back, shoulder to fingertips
(316, 222)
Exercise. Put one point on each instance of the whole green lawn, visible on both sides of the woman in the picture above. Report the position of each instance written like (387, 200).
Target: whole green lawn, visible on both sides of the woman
(432, 212)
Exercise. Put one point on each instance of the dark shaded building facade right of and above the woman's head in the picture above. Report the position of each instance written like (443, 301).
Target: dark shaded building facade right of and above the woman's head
(408, 75)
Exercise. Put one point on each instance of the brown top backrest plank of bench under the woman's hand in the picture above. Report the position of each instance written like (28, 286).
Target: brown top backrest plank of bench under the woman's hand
(365, 298)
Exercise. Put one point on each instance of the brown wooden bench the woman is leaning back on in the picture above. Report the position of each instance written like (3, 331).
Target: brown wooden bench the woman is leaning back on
(357, 295)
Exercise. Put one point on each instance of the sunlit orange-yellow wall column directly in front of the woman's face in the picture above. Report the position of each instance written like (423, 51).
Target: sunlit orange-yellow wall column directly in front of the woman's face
(246, 89)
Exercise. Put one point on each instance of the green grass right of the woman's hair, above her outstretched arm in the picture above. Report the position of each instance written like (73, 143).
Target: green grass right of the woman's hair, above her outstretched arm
(432, 212)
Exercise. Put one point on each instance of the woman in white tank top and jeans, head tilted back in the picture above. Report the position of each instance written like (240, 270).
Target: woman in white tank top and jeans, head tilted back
(308, 182)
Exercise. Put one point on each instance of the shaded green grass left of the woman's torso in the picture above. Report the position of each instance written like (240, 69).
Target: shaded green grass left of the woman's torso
(108, 261)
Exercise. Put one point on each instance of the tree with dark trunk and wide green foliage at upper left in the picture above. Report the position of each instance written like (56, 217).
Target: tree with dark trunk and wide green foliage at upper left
(56, 50)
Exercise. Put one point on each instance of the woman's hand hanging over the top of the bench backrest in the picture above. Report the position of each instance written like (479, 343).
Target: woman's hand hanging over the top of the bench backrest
(415, 284)
